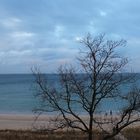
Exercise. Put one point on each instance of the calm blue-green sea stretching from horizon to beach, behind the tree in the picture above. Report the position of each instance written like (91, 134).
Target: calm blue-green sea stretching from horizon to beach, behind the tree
(17, 94)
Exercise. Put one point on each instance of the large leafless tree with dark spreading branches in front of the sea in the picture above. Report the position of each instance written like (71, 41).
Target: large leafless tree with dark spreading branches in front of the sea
(99, 79)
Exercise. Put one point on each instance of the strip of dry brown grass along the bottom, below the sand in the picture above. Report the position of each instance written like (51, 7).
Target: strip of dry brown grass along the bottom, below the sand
(132, 133)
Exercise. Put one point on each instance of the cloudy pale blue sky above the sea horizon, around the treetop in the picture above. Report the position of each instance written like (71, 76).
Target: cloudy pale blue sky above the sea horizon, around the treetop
(46, 33)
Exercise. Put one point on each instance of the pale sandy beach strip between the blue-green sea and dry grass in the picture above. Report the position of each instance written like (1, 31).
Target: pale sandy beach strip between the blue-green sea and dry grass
(27, 121)
